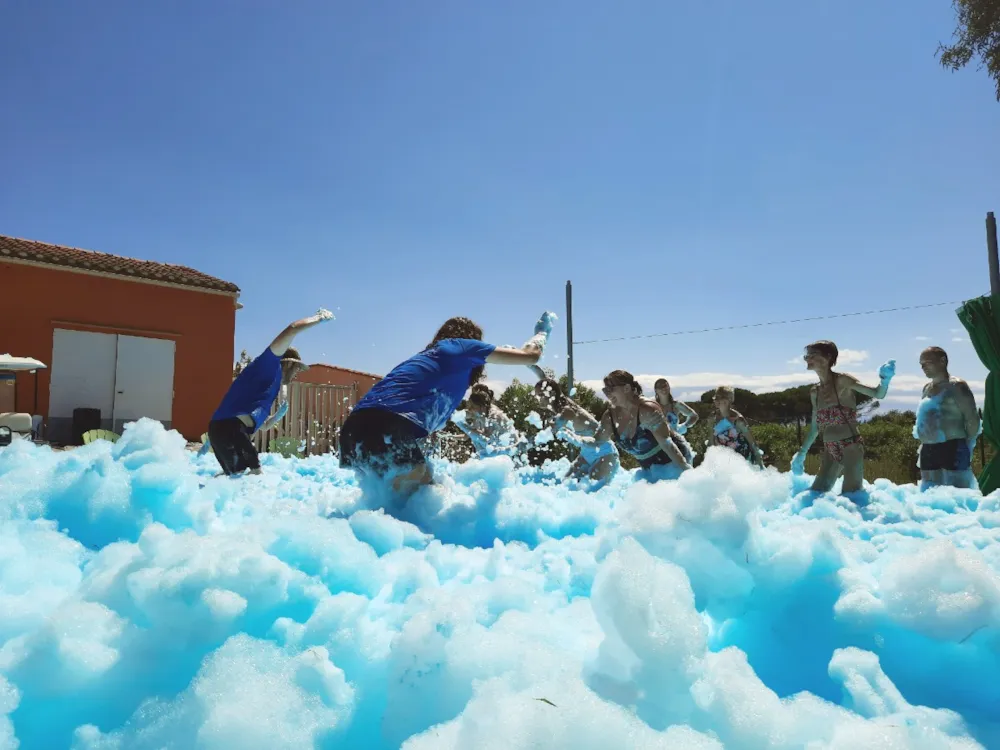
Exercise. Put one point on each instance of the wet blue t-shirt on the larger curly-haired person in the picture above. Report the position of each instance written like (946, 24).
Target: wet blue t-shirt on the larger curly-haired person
(429, 386)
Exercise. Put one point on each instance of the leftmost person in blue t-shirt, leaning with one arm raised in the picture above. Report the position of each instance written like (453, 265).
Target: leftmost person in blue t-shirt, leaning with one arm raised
(248, 401)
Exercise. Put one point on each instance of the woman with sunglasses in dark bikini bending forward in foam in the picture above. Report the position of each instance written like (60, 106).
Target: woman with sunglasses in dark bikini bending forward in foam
(636, 425)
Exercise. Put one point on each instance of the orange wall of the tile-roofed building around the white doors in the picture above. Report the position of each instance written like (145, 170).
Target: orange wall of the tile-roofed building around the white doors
(202, 325)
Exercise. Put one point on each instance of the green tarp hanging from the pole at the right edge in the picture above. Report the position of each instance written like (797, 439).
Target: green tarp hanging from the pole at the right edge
(981, 318)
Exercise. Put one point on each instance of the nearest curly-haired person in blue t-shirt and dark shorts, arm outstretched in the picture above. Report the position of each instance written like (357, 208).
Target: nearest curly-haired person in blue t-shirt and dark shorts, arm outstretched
(384, 431)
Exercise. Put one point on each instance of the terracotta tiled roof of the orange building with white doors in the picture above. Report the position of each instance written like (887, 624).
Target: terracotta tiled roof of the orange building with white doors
(91, 260)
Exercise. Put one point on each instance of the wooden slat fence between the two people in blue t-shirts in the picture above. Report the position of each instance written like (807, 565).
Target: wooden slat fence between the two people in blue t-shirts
(312, 423)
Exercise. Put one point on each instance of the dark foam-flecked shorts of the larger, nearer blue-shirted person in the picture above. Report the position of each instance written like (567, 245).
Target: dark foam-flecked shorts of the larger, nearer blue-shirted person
(380, 441)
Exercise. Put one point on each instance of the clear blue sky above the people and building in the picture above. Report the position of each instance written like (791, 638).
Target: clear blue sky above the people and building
(686, 164)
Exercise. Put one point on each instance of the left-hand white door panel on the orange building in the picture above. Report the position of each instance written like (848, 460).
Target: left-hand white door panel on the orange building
(82, 373)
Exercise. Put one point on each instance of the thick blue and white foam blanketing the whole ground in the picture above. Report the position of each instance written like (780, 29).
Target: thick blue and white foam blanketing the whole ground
(148, 604)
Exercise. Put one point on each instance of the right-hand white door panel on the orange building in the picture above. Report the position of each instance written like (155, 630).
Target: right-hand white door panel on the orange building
(144, 380)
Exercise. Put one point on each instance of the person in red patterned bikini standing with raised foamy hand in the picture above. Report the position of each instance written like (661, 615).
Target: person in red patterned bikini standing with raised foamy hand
(834, 415)
